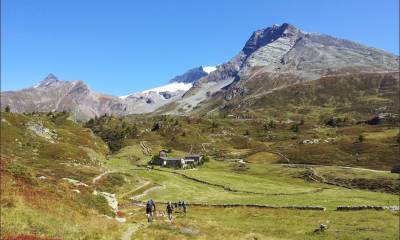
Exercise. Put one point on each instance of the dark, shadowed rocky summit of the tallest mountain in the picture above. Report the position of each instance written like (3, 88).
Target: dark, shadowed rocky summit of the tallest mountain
(268, 35)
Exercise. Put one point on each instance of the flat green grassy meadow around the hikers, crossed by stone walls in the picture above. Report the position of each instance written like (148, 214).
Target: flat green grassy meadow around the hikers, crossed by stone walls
(269, 184)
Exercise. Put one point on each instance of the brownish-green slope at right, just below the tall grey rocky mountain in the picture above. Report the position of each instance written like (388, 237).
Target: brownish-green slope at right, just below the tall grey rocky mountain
(356, 96)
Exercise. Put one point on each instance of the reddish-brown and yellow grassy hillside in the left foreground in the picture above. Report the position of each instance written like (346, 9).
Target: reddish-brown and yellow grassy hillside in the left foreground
(35, 199)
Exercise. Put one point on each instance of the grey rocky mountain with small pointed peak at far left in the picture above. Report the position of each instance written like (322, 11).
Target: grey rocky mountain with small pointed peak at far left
(52, 94)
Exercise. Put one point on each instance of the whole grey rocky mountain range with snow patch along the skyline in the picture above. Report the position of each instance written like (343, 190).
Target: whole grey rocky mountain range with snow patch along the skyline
(274, 57)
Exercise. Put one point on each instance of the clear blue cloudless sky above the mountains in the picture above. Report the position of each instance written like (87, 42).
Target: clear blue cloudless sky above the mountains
(122, 46)
